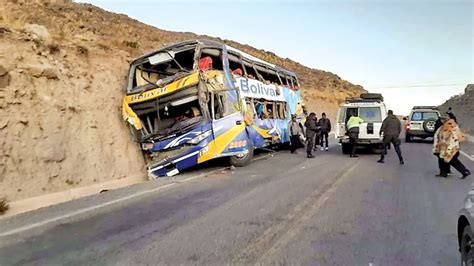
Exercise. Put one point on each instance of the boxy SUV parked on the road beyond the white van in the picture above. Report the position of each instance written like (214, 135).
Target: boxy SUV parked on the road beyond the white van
(421, 122)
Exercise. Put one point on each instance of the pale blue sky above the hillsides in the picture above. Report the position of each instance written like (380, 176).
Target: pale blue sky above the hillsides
(385, 46)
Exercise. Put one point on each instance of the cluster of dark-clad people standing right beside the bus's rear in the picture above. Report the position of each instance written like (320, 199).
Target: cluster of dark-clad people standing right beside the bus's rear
(317, 132)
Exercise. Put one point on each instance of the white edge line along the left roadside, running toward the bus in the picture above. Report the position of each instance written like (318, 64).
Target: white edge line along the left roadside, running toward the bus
(105, 204)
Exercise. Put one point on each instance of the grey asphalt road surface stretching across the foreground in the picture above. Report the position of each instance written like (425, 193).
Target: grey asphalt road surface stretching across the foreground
(282, 209)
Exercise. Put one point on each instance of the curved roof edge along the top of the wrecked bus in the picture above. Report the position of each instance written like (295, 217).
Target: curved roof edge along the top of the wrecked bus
(217, 44)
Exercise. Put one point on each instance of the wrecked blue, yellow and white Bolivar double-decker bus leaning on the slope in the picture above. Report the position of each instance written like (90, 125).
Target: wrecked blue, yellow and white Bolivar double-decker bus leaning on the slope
(197, 100)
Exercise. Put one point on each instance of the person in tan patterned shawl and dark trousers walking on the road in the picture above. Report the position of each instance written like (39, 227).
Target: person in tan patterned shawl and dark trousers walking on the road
(446, 148)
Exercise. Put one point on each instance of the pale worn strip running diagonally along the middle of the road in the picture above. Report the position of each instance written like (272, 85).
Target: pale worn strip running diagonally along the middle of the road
(265, 248)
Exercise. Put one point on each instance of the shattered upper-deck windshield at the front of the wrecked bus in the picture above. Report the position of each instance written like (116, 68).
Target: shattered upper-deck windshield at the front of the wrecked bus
(161, 68)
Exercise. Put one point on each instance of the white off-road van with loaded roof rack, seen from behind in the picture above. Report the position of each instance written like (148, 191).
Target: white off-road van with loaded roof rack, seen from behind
(372, 110)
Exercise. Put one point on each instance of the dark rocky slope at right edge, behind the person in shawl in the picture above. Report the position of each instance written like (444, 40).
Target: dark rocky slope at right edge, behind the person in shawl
(463, 108)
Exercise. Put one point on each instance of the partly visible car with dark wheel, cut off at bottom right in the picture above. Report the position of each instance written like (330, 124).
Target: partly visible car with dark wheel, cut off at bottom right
(464, 230)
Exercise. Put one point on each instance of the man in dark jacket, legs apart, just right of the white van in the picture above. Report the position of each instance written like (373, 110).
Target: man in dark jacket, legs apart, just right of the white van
(391, 128)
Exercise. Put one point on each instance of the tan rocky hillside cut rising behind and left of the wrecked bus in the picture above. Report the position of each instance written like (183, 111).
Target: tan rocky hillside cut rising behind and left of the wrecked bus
(63, 67)
